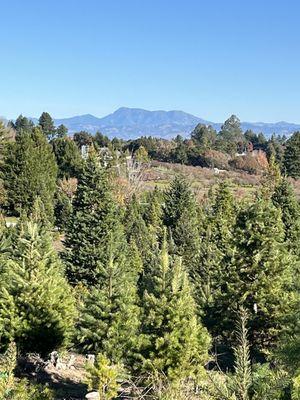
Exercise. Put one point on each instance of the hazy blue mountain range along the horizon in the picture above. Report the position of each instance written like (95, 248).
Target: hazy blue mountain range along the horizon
(130, 123)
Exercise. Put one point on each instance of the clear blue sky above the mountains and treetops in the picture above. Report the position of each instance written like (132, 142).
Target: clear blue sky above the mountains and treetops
(210, 58)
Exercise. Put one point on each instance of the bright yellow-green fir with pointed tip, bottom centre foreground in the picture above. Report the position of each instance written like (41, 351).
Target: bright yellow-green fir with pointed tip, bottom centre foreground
(174, 342)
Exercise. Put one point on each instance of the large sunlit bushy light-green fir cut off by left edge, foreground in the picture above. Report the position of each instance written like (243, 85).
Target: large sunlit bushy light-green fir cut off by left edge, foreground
(37, 308)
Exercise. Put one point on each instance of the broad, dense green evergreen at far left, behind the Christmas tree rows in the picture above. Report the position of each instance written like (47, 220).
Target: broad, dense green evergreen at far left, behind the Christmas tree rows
(29, 171)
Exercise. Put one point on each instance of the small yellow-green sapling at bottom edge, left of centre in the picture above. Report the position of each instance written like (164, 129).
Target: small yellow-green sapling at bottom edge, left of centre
(103, 376)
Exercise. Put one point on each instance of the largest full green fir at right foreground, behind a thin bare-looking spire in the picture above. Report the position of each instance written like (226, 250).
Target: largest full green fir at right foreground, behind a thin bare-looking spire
(258, 277)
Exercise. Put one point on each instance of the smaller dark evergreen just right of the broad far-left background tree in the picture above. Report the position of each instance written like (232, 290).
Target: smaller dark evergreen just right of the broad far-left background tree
(68, 158)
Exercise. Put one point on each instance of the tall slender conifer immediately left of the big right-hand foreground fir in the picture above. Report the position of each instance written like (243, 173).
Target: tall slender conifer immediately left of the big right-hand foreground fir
(217, 221)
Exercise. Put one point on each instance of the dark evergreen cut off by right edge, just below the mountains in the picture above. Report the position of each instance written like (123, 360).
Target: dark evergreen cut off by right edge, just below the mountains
(291, 160)
